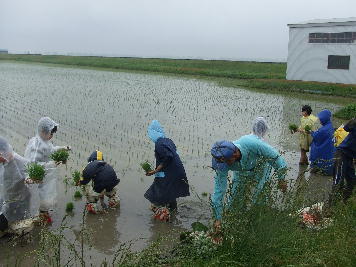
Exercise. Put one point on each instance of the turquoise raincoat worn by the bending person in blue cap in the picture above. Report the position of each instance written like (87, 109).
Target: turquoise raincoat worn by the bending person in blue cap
(257, 158)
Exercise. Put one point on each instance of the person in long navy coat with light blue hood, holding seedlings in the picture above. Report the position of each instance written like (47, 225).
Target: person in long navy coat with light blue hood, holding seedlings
(170, 180)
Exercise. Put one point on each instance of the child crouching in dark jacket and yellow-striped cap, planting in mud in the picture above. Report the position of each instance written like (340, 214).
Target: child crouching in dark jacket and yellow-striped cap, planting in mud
(103, 180)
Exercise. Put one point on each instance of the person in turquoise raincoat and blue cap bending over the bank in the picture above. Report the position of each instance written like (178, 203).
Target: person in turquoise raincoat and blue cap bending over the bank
(248, 157)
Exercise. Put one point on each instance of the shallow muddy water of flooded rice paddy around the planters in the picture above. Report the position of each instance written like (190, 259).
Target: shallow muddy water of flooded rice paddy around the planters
(110, 111)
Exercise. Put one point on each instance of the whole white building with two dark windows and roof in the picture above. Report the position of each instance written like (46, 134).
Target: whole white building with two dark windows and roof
(323, 50)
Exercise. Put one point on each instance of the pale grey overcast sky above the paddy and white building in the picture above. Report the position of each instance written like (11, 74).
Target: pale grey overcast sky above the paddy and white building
(228, 29)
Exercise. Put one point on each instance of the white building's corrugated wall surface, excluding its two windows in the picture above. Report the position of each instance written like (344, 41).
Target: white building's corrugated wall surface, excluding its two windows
(309, 61)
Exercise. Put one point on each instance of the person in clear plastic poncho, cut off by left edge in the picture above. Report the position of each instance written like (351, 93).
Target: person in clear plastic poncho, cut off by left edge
(15, 196)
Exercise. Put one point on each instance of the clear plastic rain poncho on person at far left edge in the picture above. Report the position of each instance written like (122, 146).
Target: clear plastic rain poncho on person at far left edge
(15, 195)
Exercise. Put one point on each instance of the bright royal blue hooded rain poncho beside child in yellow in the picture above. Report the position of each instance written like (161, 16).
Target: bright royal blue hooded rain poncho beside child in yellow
(322, 147)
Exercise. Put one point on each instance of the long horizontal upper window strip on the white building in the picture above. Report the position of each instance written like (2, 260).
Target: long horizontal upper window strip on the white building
(332, 38)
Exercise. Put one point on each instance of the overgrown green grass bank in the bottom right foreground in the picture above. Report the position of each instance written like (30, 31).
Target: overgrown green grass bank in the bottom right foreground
(262, 236)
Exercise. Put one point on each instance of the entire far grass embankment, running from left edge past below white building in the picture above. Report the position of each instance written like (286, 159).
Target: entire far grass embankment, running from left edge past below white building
(257, 75)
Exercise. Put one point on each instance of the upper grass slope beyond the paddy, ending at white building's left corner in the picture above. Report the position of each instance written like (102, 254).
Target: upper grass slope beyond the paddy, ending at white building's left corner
(217, 68)
